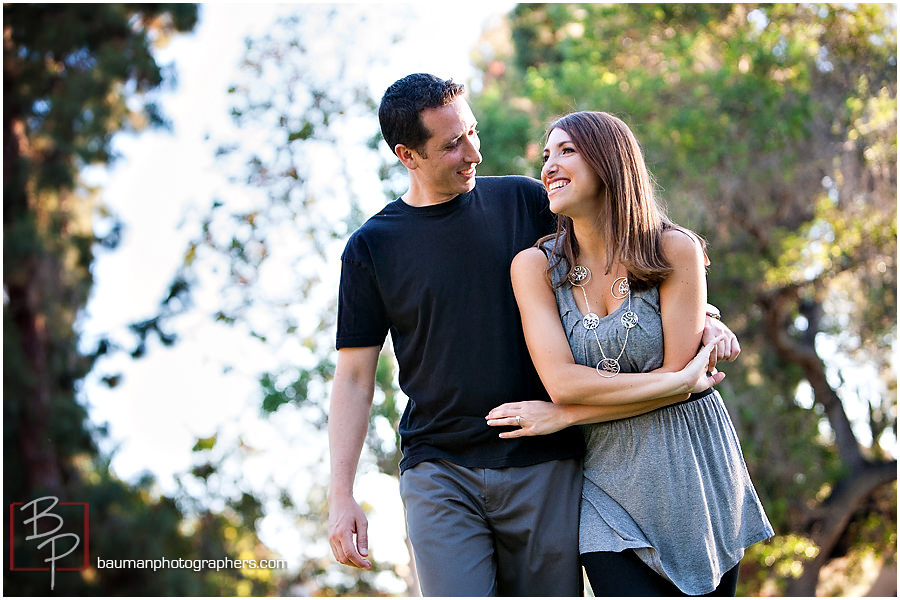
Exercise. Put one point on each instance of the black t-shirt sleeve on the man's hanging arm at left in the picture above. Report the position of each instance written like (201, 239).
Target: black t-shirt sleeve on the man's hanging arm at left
(362, 319)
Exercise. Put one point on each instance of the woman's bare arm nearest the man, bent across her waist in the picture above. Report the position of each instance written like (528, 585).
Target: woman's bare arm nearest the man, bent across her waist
(566, 381)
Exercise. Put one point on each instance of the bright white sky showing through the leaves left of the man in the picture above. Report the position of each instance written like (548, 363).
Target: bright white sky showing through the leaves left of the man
(161, 183)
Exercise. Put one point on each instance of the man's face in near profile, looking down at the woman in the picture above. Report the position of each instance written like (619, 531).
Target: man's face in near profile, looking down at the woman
(447, 163)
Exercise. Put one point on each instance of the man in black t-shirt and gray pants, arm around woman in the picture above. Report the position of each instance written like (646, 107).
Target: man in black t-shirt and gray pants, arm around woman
(486, 516)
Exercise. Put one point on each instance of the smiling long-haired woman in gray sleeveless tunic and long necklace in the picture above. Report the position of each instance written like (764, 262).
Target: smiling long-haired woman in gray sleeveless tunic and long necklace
(667, 505)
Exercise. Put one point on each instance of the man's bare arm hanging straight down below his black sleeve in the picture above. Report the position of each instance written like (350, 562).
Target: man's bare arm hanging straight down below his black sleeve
(348, 422)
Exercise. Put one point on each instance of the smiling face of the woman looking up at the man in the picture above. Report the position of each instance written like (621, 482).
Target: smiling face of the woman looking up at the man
(573, 187)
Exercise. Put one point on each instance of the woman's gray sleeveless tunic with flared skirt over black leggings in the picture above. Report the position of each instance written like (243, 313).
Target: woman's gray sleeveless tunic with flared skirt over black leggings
(670, 484)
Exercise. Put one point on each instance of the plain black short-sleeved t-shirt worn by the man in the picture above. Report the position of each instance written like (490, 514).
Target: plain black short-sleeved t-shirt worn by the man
(437, 278)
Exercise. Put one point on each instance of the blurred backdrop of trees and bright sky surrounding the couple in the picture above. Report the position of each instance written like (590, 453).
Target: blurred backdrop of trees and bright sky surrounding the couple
(179, 182)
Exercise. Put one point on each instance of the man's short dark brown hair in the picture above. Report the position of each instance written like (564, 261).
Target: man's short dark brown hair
(400, 112)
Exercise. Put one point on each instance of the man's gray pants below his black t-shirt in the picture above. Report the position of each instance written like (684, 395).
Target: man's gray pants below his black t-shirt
(495, 532)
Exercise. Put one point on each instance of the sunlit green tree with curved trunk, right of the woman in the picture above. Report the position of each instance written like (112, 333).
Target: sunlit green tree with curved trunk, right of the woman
(771, 130)
